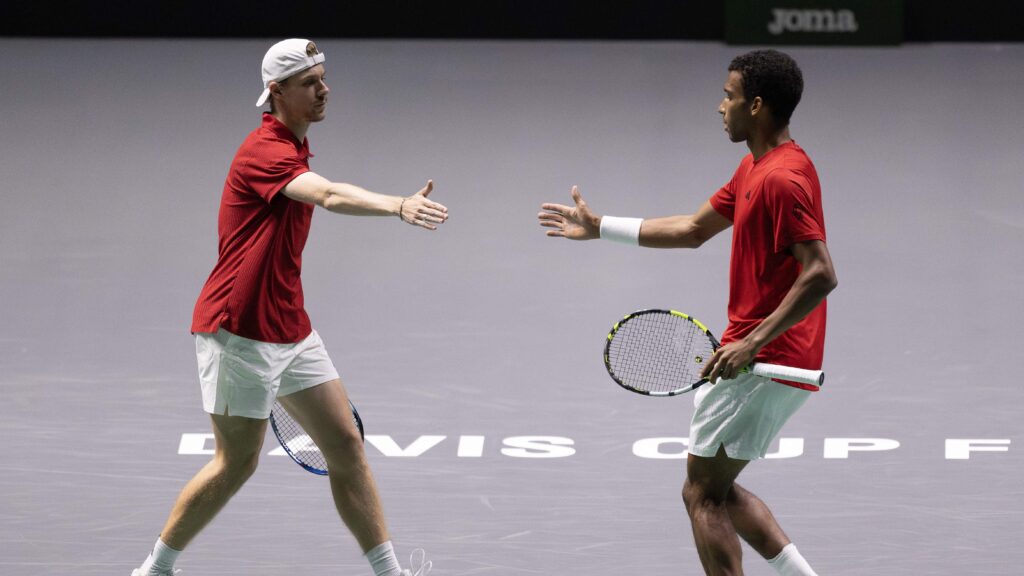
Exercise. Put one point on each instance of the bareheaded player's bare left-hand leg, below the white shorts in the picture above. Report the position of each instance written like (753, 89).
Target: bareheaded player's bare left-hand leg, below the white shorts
(706, 493)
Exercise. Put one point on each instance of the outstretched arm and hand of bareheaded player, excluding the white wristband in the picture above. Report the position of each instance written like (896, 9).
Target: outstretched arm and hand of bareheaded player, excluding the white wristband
(580, 223)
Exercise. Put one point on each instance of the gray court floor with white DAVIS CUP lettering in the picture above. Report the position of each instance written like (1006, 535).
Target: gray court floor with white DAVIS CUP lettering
(499, 443)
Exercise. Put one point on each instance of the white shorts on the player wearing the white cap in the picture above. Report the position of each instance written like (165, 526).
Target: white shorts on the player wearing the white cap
(242, 378)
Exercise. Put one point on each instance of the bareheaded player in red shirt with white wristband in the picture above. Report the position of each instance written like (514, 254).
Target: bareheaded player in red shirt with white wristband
(780, 275)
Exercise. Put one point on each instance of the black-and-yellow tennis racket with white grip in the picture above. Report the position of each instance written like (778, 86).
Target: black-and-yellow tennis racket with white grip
(663, 352)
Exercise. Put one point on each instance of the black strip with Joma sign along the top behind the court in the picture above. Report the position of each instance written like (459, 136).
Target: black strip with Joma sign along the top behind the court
(878, 22)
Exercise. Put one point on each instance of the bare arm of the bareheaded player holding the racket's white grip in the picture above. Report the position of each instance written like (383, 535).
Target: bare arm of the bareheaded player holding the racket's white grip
(816, 281)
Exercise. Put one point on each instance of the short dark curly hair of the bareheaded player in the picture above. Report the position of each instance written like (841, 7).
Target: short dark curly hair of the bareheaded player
(774, 76)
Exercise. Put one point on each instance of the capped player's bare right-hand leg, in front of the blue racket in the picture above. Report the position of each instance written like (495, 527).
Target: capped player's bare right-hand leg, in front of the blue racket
(323, 412)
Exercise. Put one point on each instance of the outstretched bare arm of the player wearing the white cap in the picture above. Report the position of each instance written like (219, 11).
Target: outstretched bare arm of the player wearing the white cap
(350, 199)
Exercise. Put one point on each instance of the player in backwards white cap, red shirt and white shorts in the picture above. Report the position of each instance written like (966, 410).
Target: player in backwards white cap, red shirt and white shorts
(254, 342)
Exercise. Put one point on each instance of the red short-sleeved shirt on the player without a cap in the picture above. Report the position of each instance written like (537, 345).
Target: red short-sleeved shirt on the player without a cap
(774, 203)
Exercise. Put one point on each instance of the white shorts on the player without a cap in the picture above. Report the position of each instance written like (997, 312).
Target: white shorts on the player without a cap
(744, 415)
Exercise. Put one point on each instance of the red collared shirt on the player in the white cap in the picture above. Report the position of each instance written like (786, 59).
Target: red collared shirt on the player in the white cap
(255, 290)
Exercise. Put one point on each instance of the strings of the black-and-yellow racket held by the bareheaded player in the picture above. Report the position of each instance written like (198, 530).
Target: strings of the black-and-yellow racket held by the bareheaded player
(659, 353)
